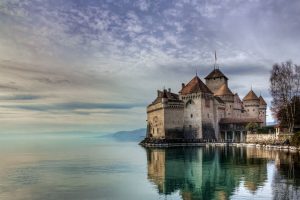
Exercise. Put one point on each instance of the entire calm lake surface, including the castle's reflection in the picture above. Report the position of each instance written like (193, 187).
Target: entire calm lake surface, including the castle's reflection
(88, 167)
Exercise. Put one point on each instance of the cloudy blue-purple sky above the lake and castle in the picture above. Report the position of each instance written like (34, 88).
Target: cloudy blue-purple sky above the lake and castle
(88, 65)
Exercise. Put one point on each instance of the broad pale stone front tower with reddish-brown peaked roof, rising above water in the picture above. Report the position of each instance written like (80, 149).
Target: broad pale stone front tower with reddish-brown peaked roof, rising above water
(198, 110)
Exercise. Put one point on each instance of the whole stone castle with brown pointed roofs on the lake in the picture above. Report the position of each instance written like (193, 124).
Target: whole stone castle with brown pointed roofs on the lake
(209, 111)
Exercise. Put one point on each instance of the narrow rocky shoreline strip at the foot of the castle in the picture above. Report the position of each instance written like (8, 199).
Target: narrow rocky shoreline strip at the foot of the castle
(214, 144)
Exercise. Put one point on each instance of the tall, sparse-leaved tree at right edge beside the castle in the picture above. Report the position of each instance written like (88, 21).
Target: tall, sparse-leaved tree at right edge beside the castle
(285, 89)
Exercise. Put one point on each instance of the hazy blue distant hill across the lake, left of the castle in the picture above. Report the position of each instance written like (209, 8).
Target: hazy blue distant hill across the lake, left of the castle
(134, 135)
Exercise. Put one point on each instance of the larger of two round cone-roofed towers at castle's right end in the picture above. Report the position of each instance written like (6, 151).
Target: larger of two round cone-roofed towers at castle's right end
(251, 104)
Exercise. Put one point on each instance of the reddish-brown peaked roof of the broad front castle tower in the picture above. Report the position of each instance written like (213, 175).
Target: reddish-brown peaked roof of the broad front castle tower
(194, 86)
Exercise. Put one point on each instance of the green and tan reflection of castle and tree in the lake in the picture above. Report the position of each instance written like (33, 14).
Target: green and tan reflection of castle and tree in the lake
(224, 173)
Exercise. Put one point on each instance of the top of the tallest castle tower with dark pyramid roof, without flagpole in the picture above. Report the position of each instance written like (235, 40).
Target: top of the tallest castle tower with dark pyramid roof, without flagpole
(215, 79)
